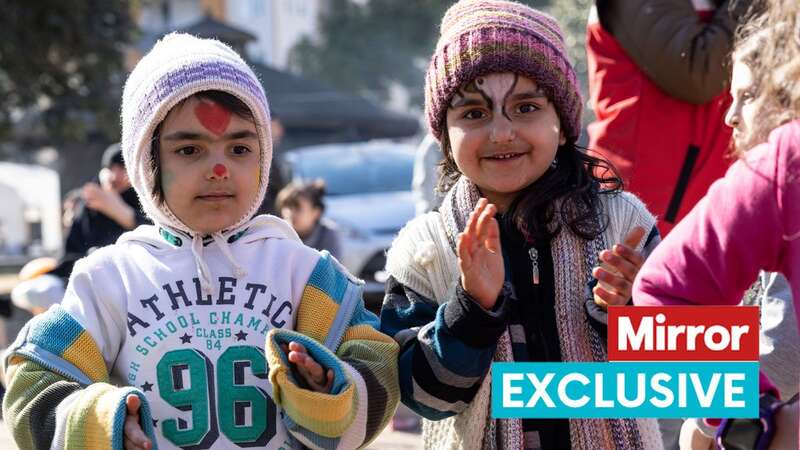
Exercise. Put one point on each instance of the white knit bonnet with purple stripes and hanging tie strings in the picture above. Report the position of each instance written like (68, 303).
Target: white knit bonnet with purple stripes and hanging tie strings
(179, 66)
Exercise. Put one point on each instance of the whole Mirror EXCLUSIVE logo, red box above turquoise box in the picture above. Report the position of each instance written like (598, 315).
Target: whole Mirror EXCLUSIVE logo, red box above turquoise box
(664, 362)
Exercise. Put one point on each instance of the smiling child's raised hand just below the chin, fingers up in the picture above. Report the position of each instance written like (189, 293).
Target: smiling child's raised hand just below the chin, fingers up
(480, 258)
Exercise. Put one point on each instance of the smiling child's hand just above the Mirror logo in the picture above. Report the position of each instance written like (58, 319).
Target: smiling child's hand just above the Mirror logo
(618, 270)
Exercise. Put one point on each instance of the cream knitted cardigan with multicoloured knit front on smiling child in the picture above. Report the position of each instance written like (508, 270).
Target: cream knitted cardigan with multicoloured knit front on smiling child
(423, 258)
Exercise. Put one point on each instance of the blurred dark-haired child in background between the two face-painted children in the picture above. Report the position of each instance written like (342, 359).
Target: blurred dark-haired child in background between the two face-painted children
(302, 205)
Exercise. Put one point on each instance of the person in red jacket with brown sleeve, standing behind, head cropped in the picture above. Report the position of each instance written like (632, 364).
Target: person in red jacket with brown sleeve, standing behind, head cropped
(658, 75)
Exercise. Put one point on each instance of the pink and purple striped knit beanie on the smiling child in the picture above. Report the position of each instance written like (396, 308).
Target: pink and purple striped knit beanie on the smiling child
(479, 37)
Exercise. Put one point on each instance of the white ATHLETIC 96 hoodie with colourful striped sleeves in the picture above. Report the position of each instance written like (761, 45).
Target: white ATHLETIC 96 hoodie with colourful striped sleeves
(207, 365)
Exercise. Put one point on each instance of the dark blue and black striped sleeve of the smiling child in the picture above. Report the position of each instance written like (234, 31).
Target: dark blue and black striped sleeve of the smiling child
(445, 350)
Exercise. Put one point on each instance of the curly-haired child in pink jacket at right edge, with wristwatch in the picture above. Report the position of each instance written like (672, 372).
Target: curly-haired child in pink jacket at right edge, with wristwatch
(748, 221)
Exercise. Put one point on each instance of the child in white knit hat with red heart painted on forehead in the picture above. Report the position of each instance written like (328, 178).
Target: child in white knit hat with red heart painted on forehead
(224, 330)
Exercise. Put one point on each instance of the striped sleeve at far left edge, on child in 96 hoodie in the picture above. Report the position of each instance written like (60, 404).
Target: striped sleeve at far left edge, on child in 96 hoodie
(58, 393)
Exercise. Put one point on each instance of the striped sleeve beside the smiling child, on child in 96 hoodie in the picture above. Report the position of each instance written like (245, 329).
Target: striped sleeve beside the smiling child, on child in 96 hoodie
(364, 395)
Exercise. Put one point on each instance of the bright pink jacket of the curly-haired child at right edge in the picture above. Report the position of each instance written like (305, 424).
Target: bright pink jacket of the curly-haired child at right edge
(749, 220)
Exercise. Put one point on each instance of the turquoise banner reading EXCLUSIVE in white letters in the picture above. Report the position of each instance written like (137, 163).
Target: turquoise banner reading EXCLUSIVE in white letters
(625, 389)
